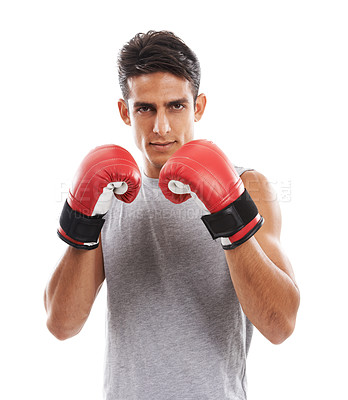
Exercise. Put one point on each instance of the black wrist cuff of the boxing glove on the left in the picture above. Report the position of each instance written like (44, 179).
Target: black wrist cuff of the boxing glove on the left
(80, 228)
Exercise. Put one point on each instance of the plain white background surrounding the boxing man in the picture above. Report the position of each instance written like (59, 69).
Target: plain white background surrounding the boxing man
(275, 74)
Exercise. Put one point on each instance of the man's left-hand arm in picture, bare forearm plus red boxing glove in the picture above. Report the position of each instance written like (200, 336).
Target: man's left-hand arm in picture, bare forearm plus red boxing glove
(106, 171)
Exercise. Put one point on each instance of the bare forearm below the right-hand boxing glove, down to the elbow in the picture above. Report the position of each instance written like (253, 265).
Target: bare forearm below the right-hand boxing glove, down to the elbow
(268, 295)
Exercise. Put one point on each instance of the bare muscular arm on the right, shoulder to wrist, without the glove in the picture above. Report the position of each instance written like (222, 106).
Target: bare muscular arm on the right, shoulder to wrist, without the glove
(261, 272)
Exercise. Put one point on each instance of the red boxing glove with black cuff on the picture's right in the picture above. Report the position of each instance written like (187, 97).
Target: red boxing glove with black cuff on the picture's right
(200, 168)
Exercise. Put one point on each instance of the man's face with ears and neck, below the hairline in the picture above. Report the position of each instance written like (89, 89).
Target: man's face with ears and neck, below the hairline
(161, 112)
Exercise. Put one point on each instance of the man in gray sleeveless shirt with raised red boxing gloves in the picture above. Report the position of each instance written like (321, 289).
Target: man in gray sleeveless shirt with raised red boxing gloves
(181, 306)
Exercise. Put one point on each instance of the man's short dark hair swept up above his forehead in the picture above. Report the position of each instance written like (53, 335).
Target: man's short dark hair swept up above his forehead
(157, 51)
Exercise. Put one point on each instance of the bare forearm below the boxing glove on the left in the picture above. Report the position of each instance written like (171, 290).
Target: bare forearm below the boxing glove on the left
(72, 289)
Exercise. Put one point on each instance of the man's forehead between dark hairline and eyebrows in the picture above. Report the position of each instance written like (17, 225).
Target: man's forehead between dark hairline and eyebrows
(159, 86)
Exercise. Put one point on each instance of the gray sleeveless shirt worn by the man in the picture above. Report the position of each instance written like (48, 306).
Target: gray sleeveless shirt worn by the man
(175, 327)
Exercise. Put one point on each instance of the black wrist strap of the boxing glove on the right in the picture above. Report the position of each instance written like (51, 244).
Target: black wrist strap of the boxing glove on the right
(233, 218)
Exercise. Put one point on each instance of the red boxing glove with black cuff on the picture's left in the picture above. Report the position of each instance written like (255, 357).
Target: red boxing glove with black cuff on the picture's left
(106, 170)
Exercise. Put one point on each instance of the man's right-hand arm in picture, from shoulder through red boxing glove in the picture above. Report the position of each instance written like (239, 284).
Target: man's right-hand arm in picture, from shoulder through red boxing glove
(260, 271)
